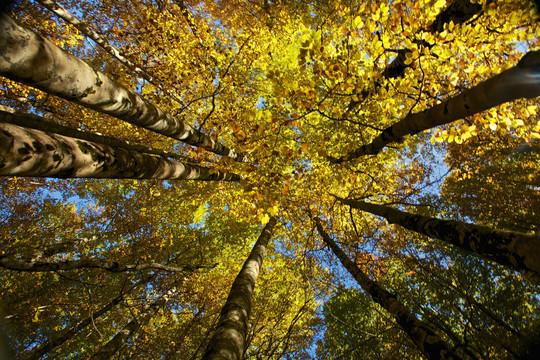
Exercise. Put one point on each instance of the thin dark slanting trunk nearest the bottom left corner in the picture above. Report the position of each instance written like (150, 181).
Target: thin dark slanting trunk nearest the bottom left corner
(63, 336)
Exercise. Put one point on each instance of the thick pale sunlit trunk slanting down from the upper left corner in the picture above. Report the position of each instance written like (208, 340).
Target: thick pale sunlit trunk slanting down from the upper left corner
(30, 59)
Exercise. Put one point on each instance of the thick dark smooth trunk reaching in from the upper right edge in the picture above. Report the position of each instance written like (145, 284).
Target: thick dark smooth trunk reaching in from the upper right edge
(520, 81)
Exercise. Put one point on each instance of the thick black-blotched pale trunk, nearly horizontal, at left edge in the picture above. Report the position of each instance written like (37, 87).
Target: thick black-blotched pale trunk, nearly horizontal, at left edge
(29, 152)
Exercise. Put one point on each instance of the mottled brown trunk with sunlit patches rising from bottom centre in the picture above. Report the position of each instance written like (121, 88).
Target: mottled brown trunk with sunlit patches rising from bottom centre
(228, 340)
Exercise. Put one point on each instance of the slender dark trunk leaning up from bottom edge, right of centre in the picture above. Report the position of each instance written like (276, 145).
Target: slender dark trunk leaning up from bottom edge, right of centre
(429, 343)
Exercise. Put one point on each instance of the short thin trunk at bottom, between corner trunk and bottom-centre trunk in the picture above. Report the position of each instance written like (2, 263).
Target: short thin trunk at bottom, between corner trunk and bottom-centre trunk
(113, 345)
